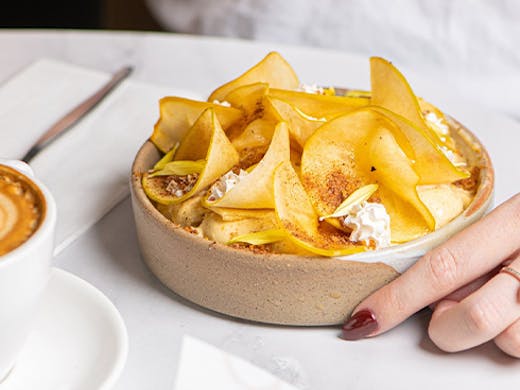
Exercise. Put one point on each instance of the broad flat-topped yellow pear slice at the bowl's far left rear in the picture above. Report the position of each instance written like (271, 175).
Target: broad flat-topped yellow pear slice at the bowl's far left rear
(177, 115)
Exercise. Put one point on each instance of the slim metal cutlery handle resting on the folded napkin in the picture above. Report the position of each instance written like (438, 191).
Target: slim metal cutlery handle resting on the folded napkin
(76, 114)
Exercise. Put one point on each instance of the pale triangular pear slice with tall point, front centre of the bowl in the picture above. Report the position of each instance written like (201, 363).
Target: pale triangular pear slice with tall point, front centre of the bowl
(255, 191)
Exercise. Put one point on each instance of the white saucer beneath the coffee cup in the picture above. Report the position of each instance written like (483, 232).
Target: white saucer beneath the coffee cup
(79, 341)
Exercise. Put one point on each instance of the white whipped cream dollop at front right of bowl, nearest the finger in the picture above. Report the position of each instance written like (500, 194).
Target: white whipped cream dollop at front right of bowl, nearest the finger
(370, 224)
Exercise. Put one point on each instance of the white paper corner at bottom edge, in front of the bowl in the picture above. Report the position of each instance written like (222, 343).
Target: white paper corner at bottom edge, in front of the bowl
(203, 366)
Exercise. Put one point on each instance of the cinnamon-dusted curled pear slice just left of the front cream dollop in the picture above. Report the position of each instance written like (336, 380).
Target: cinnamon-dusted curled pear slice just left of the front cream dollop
(296, 215)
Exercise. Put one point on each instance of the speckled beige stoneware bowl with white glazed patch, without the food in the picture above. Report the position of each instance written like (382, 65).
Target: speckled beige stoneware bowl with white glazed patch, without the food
(283, 289)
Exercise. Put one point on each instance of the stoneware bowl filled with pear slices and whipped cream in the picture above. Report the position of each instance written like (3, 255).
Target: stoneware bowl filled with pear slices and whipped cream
(289, 206)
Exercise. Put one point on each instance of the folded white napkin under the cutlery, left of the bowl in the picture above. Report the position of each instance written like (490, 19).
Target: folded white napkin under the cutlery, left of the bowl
(87, 169)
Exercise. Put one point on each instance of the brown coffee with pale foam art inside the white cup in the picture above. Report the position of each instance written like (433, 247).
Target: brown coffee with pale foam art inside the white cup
(22, 208)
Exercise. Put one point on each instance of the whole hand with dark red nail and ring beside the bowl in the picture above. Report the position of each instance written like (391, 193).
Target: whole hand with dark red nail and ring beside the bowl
(473, 303)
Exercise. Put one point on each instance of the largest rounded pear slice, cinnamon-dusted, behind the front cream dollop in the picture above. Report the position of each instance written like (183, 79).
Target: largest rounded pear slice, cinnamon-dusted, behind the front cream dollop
(358, 149)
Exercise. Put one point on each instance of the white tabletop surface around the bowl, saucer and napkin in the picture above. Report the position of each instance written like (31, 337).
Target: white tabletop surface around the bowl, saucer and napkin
(311, 358)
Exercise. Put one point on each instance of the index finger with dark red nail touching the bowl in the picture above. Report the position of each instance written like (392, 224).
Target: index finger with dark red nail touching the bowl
(469, 254)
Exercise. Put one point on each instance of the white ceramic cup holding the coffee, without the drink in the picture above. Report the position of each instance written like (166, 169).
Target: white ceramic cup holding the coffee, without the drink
(24, 273)
